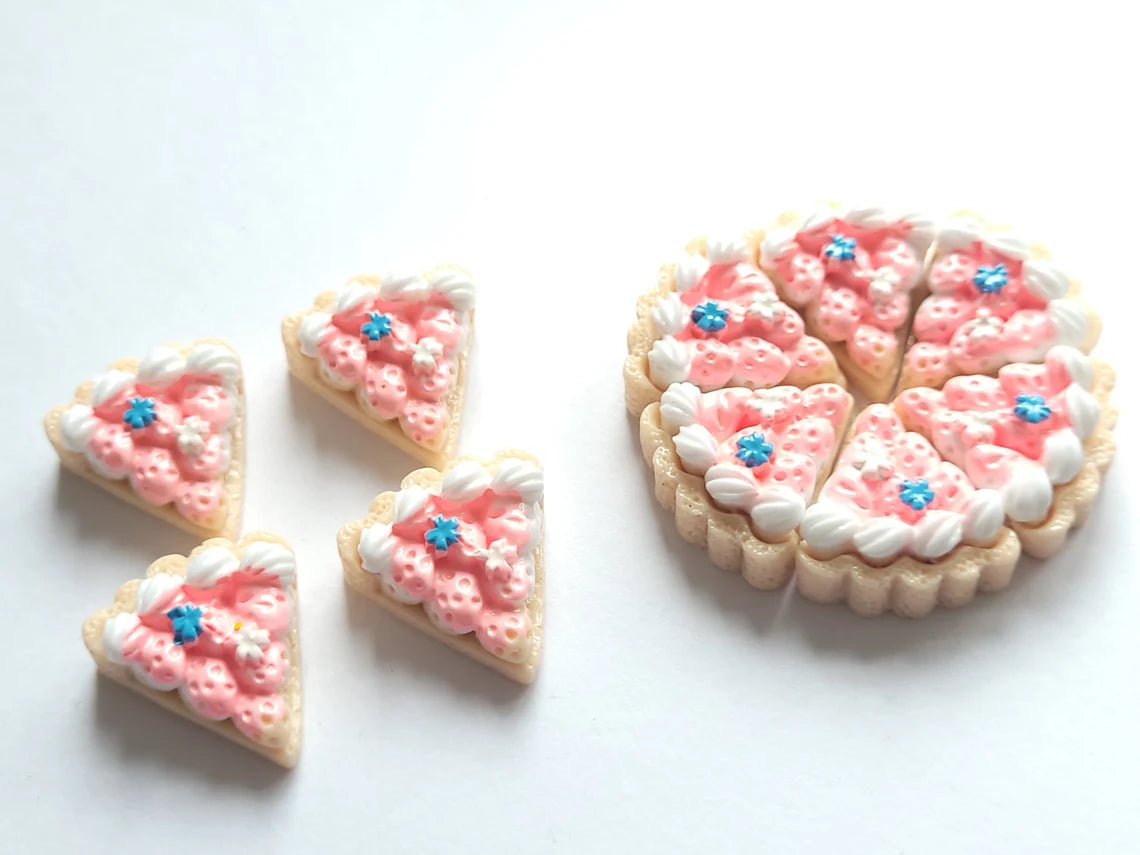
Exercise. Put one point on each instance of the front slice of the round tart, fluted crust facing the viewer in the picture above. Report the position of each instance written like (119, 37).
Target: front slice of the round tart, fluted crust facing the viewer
(897, 527)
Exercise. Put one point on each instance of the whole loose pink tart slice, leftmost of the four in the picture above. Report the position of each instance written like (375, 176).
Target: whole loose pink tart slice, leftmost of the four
(165, 434)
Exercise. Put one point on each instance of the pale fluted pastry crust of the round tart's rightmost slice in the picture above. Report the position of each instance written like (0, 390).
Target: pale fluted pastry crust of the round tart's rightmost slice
(1072, 502)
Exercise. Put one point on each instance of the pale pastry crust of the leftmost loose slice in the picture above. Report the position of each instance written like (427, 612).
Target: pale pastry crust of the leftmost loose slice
(226, 520)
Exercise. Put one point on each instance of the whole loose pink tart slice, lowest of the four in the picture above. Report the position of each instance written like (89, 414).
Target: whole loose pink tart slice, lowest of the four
(214, 639)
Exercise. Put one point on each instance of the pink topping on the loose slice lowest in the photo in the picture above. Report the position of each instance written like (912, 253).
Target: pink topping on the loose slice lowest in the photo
(210, 675)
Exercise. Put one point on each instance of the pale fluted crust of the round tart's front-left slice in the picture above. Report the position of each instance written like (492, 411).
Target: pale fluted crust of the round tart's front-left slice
(728, 535)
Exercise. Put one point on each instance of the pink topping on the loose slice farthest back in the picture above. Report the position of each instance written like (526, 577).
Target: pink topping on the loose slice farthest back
(386, 371)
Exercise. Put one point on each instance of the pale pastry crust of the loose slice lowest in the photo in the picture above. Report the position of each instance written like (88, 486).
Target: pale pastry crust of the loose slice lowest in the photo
(126, 600)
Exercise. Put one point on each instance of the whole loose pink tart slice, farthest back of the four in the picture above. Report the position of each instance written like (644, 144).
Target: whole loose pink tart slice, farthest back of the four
(392, 353)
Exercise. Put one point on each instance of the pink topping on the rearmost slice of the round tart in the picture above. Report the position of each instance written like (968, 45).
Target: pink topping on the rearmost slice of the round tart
(838, 295)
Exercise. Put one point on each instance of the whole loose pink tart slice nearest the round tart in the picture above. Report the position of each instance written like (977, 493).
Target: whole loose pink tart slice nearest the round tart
(459, 555)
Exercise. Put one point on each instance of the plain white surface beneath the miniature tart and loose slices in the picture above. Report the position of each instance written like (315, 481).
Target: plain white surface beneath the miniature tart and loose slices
(167, 177)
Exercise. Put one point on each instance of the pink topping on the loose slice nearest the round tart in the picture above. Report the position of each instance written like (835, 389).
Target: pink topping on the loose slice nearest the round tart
(479, 584)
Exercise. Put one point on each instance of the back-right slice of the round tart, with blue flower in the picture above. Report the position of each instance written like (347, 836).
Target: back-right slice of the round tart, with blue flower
(994, 300)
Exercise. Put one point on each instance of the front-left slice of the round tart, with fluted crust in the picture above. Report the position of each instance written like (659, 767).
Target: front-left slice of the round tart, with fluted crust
(738, 468)
